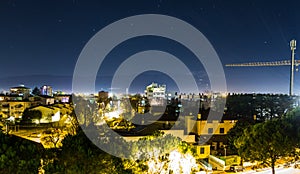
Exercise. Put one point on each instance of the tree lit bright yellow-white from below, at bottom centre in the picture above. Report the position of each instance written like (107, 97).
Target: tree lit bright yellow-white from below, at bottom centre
(160, 153)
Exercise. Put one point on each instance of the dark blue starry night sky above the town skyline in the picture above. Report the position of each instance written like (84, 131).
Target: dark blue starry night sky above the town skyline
(40, 41)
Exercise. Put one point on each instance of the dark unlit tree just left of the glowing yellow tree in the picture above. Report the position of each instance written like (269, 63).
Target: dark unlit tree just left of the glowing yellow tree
(79, 155)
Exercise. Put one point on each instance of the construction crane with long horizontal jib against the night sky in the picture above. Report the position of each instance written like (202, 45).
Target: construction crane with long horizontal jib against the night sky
(291, 63)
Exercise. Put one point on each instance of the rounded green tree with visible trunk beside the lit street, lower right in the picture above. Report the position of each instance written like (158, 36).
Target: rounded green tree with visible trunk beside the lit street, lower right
(266, 142)
